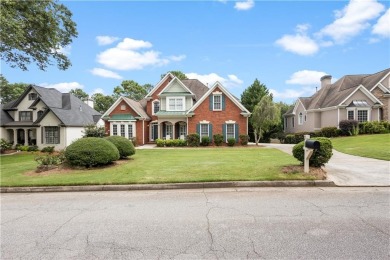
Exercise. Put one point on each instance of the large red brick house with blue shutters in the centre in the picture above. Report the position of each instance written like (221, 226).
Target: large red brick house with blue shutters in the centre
(175, 108)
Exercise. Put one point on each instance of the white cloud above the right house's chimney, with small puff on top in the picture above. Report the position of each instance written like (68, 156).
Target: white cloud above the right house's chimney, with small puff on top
(299, 43)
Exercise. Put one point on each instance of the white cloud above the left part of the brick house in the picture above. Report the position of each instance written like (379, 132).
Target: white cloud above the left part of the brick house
(128, 56)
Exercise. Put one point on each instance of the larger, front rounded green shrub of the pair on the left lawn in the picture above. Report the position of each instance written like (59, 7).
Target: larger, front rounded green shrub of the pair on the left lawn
(90, 152)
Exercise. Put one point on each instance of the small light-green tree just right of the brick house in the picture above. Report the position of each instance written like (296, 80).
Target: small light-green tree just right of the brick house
(265, 116)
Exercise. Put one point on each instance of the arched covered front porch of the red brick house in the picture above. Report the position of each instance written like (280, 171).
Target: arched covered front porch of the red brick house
(168, 129)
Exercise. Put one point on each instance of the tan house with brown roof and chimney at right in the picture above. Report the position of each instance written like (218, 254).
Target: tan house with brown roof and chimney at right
(363, 98)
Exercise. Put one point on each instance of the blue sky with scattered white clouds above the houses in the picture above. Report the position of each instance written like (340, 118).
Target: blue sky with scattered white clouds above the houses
(287, 45)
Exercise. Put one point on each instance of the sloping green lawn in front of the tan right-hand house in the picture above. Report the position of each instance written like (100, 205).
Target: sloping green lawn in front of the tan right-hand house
(371, 146)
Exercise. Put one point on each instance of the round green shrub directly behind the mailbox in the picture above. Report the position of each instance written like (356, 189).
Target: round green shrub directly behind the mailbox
(319, 157)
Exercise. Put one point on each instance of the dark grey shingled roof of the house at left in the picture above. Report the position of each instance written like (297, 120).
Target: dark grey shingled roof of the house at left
(70, 110)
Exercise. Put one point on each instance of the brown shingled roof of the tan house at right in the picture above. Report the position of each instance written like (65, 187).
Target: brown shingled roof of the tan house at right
(335, 94)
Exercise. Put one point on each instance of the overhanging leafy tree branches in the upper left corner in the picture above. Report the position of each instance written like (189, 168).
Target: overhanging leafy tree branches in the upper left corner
(35, 31)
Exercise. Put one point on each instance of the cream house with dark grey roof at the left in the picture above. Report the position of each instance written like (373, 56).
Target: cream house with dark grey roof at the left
(45, 117)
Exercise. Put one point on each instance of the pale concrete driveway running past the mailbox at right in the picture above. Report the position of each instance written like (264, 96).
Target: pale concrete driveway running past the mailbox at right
(349, 170)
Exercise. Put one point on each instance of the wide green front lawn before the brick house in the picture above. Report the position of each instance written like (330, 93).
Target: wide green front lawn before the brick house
(162, 166)
